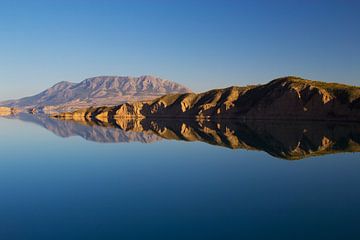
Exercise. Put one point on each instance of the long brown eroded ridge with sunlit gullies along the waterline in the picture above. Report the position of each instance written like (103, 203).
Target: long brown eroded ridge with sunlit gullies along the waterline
(288, 98)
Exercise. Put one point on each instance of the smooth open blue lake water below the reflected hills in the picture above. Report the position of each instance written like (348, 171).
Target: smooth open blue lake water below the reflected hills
(71, 188)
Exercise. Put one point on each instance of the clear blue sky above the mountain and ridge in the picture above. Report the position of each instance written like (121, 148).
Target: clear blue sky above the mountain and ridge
(201, 44)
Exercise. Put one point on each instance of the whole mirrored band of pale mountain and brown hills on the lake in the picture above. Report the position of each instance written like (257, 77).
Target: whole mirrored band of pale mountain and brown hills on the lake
(286, 140)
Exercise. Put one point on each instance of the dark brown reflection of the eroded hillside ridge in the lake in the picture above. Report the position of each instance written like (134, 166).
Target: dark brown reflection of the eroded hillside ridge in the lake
(288, 140)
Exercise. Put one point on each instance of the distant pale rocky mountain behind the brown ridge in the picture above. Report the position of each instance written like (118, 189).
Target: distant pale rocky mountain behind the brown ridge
(97, 91)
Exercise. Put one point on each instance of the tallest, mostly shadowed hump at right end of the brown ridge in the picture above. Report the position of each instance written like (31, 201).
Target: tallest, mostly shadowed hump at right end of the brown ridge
(292, 98)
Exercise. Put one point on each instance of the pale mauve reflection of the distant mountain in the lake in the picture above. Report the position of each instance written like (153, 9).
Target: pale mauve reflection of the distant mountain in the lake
(91, 132)
